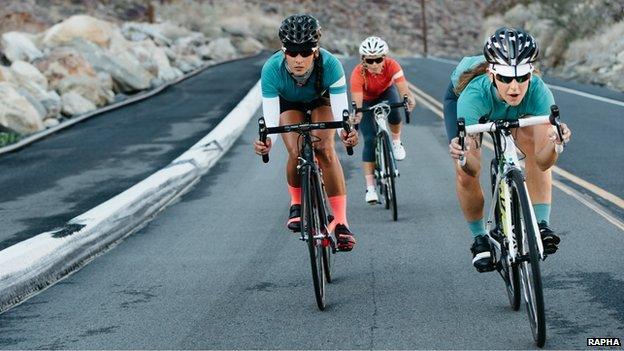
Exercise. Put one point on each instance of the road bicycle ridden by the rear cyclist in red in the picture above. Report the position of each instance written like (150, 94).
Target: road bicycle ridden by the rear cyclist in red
(386, 170)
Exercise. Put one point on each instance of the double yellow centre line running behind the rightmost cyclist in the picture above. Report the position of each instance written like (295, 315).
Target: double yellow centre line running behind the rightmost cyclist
(424, 98)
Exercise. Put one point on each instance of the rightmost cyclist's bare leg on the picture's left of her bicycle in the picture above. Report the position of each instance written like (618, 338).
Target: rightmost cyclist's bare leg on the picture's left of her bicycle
(469, 190)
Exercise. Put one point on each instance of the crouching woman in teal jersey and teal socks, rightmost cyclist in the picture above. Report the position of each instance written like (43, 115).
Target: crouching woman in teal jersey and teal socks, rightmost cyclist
(502, 84)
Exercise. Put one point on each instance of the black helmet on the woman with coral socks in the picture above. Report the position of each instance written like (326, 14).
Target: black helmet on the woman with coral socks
(300, 30)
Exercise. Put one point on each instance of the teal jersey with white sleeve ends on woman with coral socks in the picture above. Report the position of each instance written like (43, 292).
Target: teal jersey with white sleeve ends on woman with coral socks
(276, 81)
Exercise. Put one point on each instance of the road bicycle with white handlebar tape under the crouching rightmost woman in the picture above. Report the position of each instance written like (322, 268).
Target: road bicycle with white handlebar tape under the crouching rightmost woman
(511, 225)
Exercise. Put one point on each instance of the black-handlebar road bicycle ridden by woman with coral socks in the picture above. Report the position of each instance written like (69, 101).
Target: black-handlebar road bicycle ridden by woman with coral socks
(315, 213)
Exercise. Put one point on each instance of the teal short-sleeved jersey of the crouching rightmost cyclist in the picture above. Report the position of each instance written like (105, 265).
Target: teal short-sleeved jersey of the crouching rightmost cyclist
(479, 98)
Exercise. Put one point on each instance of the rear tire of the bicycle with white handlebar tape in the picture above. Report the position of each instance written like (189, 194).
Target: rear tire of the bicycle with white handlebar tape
(510, 272)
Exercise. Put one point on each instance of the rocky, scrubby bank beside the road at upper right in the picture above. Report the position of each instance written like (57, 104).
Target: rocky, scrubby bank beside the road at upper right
(580, 40)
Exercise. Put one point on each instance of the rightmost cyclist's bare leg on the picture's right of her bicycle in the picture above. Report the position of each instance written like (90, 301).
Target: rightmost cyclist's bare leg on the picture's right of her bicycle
(539, 183)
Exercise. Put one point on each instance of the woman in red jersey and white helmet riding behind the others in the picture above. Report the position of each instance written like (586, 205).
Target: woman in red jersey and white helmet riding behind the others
(373, 81)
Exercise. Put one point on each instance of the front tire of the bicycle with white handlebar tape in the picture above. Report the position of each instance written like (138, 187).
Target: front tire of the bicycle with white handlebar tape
(530, 275)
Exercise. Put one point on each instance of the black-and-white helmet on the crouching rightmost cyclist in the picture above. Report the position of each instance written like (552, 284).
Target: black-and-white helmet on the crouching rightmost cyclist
(510, 47)
